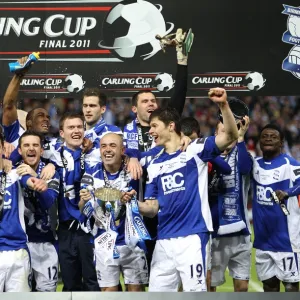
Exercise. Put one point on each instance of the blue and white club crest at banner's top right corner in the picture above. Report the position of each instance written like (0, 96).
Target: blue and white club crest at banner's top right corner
(292, 36)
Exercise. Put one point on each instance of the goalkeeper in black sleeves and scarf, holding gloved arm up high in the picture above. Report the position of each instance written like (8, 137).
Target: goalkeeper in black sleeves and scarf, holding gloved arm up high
(136, 133)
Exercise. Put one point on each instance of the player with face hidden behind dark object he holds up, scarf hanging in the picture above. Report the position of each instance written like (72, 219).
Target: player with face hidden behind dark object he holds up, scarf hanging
(228, 197)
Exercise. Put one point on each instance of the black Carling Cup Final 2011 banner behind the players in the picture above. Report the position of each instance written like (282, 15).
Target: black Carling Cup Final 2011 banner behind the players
(247, 47)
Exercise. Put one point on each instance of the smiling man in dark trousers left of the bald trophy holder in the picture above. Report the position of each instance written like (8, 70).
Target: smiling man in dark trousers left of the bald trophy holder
(75, 247)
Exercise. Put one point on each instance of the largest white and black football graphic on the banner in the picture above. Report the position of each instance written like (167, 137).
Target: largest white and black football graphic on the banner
(130, 29)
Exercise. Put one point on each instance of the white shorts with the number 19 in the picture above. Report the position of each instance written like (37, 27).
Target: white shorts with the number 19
(179, 260)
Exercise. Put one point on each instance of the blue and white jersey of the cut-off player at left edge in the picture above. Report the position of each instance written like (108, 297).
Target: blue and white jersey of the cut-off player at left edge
(12, 226)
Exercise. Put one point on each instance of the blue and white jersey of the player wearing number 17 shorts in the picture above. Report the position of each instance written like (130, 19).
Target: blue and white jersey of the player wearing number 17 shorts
(273, 230)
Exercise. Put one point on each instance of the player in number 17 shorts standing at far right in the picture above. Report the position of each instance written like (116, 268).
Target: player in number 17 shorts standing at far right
(276, 213)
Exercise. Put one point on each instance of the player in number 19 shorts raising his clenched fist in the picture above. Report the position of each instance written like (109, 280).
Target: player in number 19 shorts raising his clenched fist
(177, 191)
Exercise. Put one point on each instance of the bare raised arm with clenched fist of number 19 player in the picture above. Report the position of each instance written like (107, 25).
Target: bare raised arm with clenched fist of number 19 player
(219, 96)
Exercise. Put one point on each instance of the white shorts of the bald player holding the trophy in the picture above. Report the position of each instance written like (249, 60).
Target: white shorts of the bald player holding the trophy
(132, 264)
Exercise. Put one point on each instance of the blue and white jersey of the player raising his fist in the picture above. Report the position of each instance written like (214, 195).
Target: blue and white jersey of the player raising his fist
(179, 182)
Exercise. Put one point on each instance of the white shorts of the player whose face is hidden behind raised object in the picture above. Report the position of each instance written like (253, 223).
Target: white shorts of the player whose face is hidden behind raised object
(232, 252)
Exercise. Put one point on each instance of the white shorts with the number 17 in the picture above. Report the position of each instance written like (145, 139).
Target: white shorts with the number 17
(283, 265)
